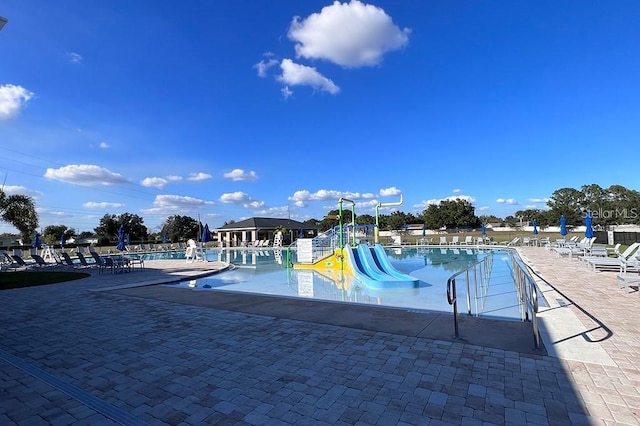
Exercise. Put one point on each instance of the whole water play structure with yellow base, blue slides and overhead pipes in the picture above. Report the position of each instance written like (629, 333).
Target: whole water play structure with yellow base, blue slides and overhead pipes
(340, 253)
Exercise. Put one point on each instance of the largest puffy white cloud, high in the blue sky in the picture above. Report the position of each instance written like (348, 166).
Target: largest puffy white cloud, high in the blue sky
(350, 34)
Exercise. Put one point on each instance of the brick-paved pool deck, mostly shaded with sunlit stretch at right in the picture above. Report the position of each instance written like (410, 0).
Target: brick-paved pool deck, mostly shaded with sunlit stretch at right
(114, 349)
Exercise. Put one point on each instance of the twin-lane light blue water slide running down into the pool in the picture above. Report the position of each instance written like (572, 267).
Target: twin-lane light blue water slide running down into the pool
(364, 267)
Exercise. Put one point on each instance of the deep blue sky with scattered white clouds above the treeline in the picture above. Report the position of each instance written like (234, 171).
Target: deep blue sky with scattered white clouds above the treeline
(225, 110)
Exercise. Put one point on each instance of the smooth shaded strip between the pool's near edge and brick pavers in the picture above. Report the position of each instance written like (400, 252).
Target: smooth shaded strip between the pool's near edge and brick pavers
(498, 334)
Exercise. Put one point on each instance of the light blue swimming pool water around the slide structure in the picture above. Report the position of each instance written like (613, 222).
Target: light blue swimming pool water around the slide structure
(265, 272)
